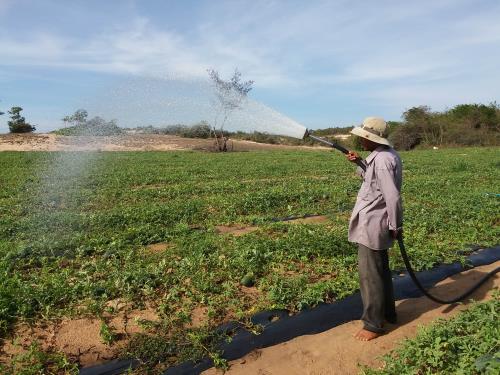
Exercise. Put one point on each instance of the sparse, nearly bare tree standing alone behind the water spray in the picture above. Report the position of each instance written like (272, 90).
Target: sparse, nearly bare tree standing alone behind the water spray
(229, 96)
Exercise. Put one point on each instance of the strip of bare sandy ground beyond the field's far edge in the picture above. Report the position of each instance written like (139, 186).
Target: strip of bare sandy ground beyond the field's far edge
(129, 142)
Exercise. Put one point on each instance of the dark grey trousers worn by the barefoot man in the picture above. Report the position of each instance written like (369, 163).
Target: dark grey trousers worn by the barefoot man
(376, 288)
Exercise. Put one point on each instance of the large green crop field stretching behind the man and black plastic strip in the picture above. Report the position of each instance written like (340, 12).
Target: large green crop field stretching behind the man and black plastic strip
(73, 240)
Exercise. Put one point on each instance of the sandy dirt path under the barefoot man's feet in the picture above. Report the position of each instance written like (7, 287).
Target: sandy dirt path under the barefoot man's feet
(336, 351)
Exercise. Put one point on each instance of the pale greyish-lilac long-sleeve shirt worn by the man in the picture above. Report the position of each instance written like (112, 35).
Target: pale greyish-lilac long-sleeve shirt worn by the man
(378, 206)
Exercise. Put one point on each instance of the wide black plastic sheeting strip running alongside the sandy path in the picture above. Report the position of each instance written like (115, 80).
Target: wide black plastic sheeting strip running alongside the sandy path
(279, 327)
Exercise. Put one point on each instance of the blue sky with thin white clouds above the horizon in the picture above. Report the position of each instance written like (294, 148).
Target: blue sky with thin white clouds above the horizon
(323, 63)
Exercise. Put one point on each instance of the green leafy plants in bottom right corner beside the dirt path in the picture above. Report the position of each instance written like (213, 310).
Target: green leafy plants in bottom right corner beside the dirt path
(468, 343)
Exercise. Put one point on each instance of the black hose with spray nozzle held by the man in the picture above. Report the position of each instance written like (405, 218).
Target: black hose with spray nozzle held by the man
(402, 247)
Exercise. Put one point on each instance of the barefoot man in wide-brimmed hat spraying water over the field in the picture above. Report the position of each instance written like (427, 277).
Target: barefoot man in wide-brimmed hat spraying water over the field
(376, 220)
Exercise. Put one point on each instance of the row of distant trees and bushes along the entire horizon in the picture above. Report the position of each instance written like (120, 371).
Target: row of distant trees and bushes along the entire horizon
(462, 125)
